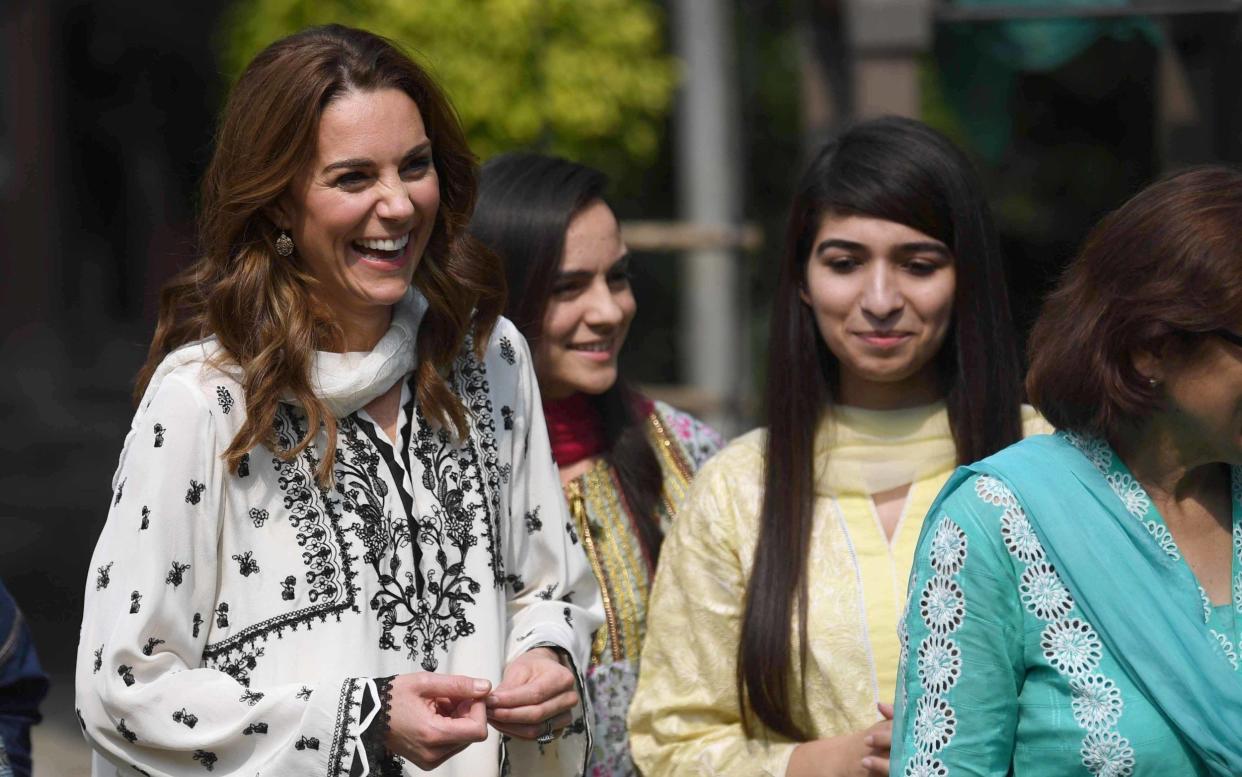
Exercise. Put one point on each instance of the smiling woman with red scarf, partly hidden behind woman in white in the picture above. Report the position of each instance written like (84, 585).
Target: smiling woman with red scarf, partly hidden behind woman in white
(625, 461)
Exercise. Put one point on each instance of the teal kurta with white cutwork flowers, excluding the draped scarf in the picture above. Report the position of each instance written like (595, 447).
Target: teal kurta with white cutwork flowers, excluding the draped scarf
(1003, 673)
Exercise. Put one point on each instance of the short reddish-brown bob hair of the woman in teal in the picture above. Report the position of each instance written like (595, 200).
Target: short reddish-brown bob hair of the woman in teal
(1154, 277)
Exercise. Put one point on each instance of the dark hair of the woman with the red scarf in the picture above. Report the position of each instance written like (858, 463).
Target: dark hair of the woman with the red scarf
(525, 207)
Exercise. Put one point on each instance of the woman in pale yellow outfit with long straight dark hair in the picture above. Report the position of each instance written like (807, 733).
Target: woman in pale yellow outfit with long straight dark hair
(772, 645)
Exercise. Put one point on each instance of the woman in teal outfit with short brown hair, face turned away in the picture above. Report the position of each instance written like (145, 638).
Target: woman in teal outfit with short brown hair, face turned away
(1076, 600)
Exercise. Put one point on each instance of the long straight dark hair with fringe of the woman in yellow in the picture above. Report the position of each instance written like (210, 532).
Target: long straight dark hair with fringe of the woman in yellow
(899, 171)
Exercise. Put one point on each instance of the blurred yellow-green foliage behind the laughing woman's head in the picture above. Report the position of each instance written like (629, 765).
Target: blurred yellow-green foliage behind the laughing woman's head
(589, 80)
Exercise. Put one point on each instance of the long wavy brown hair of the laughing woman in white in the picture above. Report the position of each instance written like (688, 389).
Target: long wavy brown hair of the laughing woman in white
(261, 307)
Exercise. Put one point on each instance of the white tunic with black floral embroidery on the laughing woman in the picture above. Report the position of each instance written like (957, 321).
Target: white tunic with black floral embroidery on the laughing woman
(235, 622)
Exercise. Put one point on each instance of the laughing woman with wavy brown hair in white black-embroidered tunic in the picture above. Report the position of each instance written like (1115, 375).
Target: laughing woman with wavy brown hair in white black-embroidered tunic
(337, 543)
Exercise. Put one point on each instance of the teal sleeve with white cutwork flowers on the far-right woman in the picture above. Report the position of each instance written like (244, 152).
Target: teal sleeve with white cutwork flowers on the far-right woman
(962, 641)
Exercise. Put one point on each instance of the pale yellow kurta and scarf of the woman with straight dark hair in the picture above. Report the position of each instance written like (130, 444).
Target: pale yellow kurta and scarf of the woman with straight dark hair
(685, 718)
